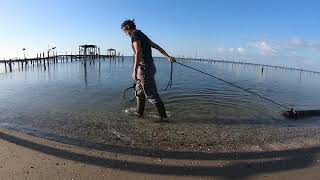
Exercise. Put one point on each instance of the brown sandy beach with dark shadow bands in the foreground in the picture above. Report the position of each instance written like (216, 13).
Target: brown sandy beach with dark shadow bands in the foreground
(24, 156)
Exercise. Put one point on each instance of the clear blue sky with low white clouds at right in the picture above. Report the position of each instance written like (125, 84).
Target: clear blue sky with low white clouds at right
(271, 32)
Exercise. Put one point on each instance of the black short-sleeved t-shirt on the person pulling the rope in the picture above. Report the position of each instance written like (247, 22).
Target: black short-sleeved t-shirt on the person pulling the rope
(145, 45)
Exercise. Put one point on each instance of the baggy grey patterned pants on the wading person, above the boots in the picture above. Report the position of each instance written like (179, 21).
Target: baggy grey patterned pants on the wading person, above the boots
(146, 85)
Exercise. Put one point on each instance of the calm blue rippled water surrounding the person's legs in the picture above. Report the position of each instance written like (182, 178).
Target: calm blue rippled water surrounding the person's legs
(89, 104)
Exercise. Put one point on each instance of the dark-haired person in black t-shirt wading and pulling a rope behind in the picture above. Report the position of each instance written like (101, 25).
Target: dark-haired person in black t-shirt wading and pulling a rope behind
(144, 69)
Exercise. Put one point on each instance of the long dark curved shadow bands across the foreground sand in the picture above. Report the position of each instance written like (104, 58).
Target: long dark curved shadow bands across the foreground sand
(279, 160)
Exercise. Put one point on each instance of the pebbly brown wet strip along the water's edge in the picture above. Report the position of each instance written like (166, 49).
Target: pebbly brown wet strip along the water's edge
(95, 127)
